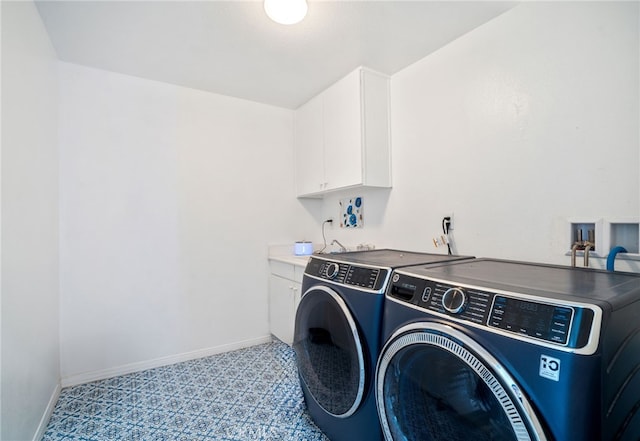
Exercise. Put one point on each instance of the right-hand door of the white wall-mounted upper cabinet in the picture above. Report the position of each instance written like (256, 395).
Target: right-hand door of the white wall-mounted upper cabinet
(343, 133)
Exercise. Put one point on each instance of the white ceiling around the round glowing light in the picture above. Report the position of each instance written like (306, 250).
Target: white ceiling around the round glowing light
(232, 48)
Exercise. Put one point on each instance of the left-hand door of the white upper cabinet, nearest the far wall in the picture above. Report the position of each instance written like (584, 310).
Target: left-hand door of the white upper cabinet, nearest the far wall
(309, 142)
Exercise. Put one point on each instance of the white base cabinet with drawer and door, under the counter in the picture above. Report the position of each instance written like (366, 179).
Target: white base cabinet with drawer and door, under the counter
(285, 283)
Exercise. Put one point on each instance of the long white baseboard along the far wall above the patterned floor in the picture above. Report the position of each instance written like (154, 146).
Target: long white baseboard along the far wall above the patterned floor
(88, 377)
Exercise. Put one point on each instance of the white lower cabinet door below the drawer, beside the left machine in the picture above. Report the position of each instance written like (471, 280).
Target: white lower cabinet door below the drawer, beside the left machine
(282, 304)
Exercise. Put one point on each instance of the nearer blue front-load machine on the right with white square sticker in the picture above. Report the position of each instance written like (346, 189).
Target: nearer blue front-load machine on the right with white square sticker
(498, 350)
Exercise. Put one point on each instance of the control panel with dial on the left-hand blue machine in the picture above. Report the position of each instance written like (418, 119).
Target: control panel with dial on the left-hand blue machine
(343, 273)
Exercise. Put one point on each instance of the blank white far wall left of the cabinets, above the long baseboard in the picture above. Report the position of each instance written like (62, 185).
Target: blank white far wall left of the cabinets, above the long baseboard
(169, 197)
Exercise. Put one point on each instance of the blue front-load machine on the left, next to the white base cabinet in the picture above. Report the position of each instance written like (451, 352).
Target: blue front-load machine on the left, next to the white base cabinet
(337, 337)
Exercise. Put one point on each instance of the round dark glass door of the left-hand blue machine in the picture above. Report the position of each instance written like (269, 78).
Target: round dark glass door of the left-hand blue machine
(329, 351)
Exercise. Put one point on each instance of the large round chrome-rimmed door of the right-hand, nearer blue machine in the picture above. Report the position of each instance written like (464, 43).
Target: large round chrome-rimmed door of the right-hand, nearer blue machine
(435, 383)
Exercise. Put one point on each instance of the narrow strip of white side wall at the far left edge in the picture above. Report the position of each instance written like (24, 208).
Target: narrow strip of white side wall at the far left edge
(29, 296)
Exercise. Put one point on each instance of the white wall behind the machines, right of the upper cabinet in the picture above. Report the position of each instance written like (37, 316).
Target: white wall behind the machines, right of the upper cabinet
(515, 127)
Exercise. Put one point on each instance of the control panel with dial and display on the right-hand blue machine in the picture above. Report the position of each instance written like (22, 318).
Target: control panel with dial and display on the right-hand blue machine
(507, 312)
